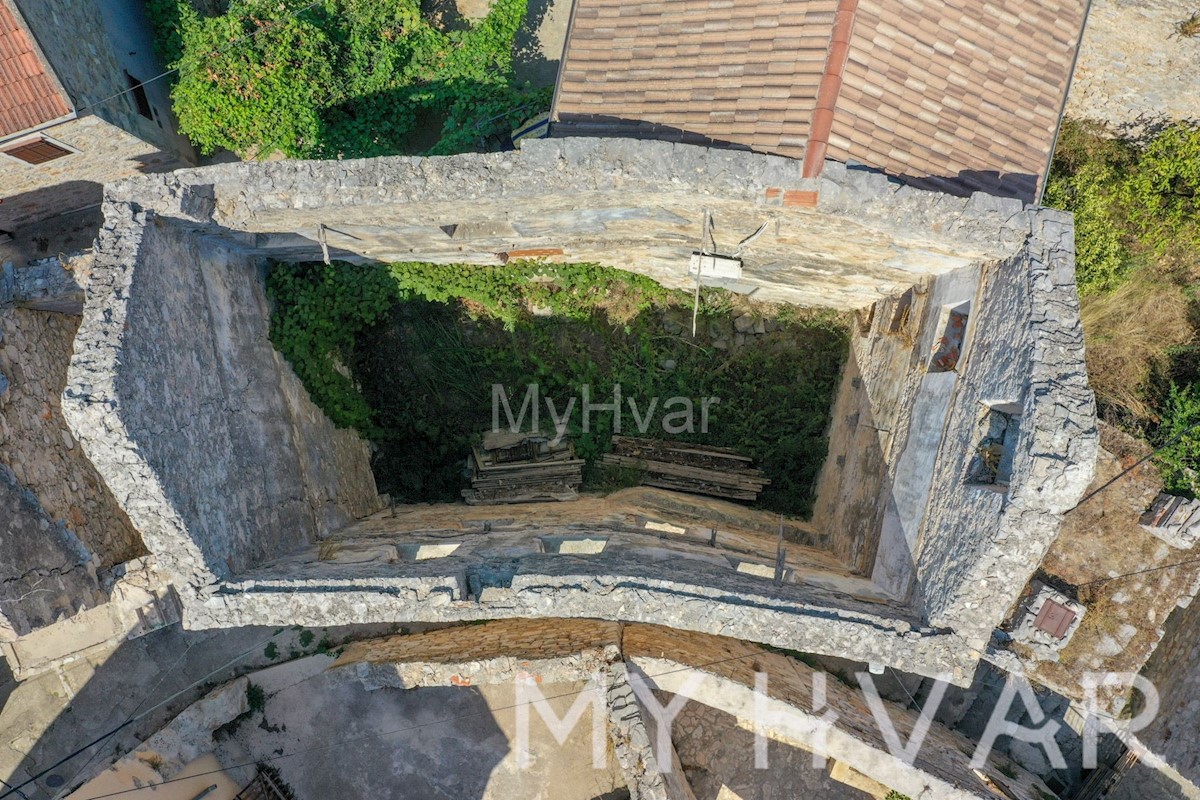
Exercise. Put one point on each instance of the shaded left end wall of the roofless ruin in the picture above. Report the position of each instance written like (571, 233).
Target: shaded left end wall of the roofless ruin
(203, 431)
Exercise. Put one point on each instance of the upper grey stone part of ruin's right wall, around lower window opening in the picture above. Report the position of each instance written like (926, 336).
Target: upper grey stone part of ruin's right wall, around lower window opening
(980, 545)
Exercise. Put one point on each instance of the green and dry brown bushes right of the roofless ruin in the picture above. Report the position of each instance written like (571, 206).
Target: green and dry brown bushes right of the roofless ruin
(1138, 261)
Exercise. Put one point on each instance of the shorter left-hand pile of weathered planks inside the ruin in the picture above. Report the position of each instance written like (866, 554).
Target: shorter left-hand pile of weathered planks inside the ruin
(523, 468)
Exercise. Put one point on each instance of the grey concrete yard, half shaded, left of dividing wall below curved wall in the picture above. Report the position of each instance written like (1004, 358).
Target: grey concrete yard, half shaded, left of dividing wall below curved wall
(423, 744)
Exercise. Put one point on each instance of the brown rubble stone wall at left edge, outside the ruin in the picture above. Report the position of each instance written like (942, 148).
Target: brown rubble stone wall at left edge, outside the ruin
(37, 444)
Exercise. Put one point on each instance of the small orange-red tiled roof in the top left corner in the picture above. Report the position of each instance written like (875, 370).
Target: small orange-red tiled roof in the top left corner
(29, 97)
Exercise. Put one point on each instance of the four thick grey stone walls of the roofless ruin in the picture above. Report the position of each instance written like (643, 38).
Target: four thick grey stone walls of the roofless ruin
(232, 476)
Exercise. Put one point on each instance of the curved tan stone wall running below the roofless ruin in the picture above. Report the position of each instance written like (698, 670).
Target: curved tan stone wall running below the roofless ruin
(572, 651)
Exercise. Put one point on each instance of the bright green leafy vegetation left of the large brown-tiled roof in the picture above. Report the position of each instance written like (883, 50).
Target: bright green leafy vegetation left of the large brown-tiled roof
(340, 79)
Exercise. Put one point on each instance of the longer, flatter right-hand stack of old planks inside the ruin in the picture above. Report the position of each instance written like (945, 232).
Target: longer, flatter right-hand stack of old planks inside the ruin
(717, 472)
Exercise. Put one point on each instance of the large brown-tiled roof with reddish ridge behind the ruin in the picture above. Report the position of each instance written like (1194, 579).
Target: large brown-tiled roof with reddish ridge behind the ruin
(959, 95)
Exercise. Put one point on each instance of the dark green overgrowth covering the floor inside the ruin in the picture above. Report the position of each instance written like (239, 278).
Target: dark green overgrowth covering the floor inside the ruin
(410, 354)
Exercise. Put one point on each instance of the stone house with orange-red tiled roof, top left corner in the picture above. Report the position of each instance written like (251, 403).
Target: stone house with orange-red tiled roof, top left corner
(75, 112)
